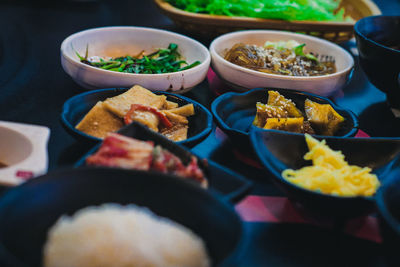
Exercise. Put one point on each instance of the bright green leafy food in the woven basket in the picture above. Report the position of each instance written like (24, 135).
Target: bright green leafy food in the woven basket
(316, 10)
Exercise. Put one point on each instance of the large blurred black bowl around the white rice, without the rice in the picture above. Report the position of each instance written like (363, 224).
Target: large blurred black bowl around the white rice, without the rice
(28, 211)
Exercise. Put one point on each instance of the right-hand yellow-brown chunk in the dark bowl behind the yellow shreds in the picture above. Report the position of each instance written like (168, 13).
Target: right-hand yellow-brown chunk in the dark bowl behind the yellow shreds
(323, 117)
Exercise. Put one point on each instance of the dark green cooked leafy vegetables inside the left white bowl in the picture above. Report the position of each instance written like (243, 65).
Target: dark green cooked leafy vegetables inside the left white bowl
(161, 61)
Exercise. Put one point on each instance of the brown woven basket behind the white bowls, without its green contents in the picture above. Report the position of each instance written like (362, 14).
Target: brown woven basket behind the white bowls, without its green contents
(213, 25)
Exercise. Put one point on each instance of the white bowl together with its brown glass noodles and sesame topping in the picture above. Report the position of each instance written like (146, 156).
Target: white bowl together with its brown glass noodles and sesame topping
(263, 58)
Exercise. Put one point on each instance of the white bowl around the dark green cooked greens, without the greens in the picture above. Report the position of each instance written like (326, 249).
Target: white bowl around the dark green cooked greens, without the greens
(122, 41)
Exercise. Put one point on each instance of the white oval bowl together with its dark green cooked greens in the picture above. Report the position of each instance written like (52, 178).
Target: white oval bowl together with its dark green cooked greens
(125, 56)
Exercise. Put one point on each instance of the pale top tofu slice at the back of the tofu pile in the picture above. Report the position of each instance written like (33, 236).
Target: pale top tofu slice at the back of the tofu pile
(120, 104)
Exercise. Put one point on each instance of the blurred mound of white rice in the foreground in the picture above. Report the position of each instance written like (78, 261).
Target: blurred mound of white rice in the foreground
(112, 235)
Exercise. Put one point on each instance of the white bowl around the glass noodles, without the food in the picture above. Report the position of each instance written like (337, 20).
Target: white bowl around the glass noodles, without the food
(244, 79)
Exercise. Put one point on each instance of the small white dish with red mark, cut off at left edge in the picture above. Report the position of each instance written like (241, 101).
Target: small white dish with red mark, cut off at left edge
(23, 149)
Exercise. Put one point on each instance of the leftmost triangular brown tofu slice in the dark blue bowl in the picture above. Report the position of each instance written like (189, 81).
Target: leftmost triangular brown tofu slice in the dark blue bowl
(99, 121)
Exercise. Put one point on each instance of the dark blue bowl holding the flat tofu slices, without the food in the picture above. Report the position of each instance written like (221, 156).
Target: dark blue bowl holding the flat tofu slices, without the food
(75, 108)
